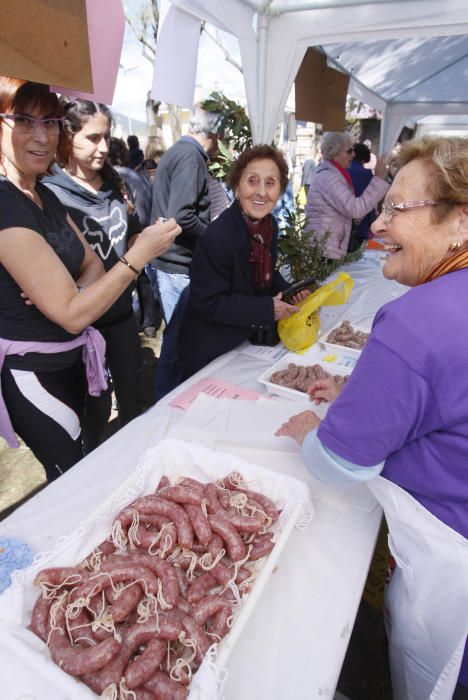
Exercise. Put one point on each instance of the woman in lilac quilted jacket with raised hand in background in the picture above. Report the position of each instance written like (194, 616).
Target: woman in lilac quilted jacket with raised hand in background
(332, 203)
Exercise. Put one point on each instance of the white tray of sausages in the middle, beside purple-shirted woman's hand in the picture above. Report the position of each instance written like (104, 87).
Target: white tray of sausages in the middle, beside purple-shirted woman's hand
(330, 361)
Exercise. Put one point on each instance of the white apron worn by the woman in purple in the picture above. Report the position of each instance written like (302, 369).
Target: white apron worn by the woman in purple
(427, 598)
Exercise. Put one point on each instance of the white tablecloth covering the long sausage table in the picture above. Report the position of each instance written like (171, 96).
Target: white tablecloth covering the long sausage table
(293, 646)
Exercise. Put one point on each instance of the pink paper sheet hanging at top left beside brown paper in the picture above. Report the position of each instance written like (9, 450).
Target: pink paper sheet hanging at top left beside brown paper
(106, 26)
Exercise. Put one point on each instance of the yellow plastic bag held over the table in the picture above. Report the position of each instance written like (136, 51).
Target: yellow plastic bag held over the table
(299, 331)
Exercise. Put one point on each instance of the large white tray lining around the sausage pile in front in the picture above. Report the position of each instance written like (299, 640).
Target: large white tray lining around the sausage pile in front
(174, 458)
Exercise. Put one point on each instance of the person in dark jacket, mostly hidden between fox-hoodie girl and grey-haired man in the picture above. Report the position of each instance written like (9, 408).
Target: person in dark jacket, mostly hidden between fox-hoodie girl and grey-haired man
(139, 188)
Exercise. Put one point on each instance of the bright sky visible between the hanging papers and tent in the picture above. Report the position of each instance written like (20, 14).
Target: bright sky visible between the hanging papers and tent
(213, 72)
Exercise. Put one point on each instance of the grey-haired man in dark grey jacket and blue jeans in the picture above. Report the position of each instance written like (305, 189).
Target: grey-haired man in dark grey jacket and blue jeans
(181, 190)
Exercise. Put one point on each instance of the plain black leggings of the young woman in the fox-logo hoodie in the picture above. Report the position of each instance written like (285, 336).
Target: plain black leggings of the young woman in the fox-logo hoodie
(123, 361)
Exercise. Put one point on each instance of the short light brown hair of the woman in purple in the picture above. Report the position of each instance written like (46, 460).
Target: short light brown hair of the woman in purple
(446, 159)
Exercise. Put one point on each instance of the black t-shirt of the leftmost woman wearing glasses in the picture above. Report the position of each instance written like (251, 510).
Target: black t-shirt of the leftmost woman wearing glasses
(19, 321)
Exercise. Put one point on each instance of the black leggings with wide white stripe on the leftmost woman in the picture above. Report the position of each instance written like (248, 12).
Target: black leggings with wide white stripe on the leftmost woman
(46, 409)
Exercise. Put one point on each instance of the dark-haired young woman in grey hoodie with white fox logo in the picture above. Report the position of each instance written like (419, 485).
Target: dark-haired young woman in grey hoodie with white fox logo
(97, 200)
